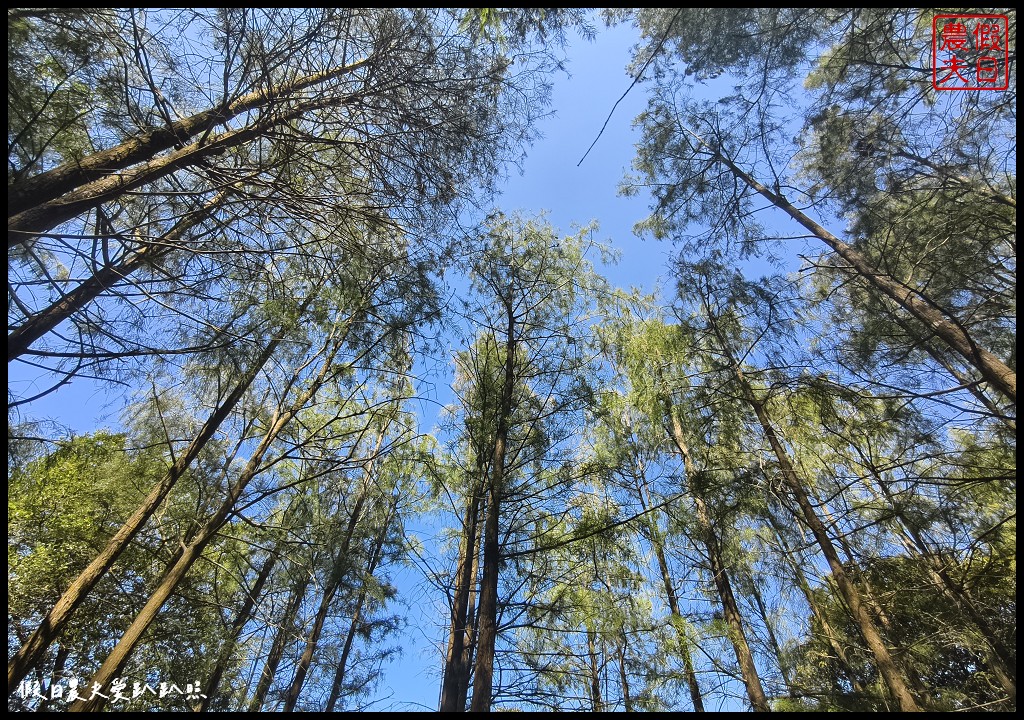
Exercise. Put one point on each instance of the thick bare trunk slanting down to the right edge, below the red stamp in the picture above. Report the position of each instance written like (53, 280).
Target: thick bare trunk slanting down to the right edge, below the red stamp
(949, 329)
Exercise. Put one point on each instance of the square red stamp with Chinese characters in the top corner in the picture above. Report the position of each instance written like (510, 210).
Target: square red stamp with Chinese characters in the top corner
(970, 53)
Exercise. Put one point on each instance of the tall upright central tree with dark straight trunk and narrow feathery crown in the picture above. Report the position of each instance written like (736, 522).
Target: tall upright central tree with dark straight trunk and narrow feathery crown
(525, 386)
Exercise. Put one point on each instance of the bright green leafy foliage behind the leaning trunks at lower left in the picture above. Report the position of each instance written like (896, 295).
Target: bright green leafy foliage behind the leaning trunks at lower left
(63, 509)
